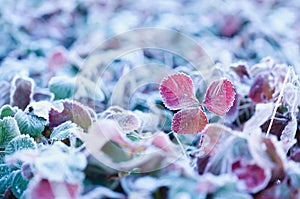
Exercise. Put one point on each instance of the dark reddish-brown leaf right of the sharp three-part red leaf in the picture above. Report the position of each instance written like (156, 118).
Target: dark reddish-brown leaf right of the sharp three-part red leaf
(261, 90)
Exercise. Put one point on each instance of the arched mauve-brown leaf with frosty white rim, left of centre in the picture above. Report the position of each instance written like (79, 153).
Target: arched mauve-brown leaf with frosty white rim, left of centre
(73, 111)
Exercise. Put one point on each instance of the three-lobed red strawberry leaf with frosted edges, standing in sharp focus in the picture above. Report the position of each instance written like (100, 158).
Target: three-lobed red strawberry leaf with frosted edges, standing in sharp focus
(178, 93)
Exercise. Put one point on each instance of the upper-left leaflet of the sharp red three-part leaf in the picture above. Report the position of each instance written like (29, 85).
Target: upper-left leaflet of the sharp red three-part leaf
(177, 91)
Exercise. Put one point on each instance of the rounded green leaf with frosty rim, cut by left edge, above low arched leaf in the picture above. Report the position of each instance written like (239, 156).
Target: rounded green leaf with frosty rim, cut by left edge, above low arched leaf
(8, 130)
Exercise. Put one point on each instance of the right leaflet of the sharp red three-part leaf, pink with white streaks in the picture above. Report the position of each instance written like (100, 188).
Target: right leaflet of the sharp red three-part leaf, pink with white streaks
(219, 97)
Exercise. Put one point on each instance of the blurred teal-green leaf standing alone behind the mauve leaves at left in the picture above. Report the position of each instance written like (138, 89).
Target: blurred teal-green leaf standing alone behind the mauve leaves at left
(62, 87)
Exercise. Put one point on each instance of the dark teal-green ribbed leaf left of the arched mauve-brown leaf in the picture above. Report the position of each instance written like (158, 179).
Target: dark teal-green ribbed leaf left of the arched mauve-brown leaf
(30, 124)
